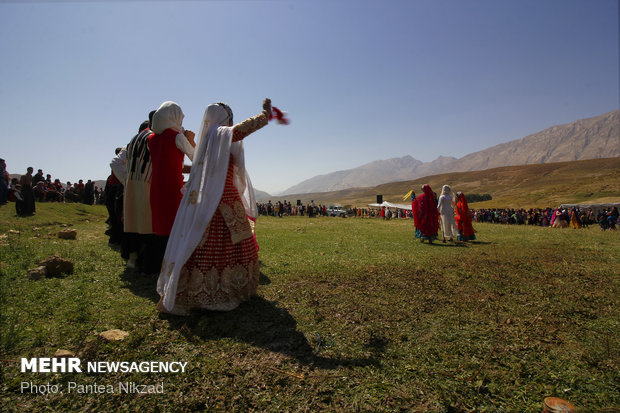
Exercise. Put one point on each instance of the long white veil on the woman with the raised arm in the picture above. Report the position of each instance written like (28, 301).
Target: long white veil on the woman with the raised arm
(203, 194)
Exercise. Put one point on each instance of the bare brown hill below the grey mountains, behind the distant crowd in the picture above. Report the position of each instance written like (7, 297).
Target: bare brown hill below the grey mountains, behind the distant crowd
(538, 185)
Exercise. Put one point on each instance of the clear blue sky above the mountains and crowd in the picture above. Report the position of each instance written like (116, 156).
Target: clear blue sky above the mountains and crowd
(361, 80)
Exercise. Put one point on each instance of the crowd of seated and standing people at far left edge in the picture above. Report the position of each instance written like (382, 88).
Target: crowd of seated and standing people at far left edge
(31, 188)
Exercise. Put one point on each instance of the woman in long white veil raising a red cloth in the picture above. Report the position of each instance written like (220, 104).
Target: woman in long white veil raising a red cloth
(211, 260)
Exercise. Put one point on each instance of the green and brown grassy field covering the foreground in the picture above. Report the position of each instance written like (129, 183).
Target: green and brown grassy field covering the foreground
(351, 315)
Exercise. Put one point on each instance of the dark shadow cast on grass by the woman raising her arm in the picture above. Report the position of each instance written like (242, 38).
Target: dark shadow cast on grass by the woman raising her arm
(263, 324)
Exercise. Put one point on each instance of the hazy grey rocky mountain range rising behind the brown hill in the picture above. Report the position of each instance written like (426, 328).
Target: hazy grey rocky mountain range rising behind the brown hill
(591, 138)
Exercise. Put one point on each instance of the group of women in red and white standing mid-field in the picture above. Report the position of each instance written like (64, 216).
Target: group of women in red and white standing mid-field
(452, 212)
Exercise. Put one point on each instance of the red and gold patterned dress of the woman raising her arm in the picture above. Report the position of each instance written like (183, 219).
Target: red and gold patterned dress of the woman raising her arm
(223, 270)
